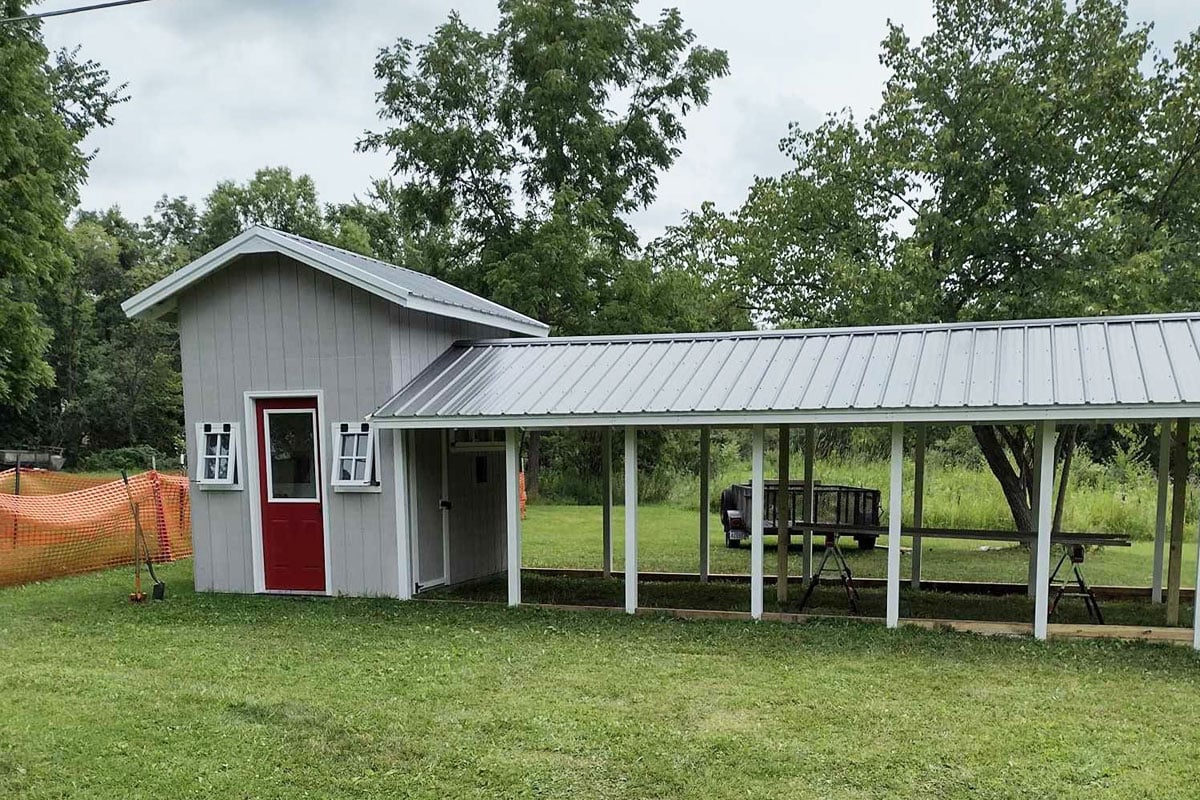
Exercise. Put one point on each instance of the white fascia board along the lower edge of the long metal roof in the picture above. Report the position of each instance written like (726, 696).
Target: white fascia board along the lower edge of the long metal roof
(848, 418)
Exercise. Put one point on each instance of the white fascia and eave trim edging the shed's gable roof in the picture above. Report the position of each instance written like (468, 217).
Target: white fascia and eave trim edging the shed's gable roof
(161, 298)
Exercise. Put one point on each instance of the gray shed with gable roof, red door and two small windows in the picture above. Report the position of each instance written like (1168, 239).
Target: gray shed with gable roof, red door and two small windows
(287, 347)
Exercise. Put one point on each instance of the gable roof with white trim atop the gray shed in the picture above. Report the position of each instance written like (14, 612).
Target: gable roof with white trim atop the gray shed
(397, 285)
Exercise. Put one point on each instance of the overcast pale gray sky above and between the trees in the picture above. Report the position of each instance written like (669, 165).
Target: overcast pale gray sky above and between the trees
(220, 88)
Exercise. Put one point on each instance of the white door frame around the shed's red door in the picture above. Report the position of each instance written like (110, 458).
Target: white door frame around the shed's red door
(256, 498)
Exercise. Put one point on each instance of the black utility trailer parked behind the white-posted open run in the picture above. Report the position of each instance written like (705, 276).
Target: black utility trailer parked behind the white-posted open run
(837, 506)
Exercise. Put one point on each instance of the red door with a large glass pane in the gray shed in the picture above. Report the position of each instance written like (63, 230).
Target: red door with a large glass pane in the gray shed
(290, 491)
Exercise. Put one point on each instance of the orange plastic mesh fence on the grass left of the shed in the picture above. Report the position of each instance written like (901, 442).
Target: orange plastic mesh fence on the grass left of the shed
(65, 525)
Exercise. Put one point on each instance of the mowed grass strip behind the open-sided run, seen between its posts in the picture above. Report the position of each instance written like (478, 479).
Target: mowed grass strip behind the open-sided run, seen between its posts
(669, 542)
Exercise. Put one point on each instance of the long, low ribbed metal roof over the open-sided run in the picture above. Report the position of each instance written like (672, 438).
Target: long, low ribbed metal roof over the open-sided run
(1126, 366)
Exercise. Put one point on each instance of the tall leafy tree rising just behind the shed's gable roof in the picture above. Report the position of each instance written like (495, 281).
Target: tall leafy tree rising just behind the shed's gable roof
(518, 154)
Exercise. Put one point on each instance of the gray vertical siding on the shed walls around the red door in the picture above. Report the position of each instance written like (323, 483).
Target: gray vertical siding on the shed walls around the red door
(268, 323)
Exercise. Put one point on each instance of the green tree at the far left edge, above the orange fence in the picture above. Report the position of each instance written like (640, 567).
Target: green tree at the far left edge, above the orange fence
(47, 107)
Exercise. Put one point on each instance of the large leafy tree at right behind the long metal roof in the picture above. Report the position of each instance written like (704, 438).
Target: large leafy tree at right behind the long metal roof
(1023, 164)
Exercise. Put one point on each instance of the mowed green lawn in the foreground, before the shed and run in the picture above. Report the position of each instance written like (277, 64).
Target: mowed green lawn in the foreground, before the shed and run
(212, 696)
